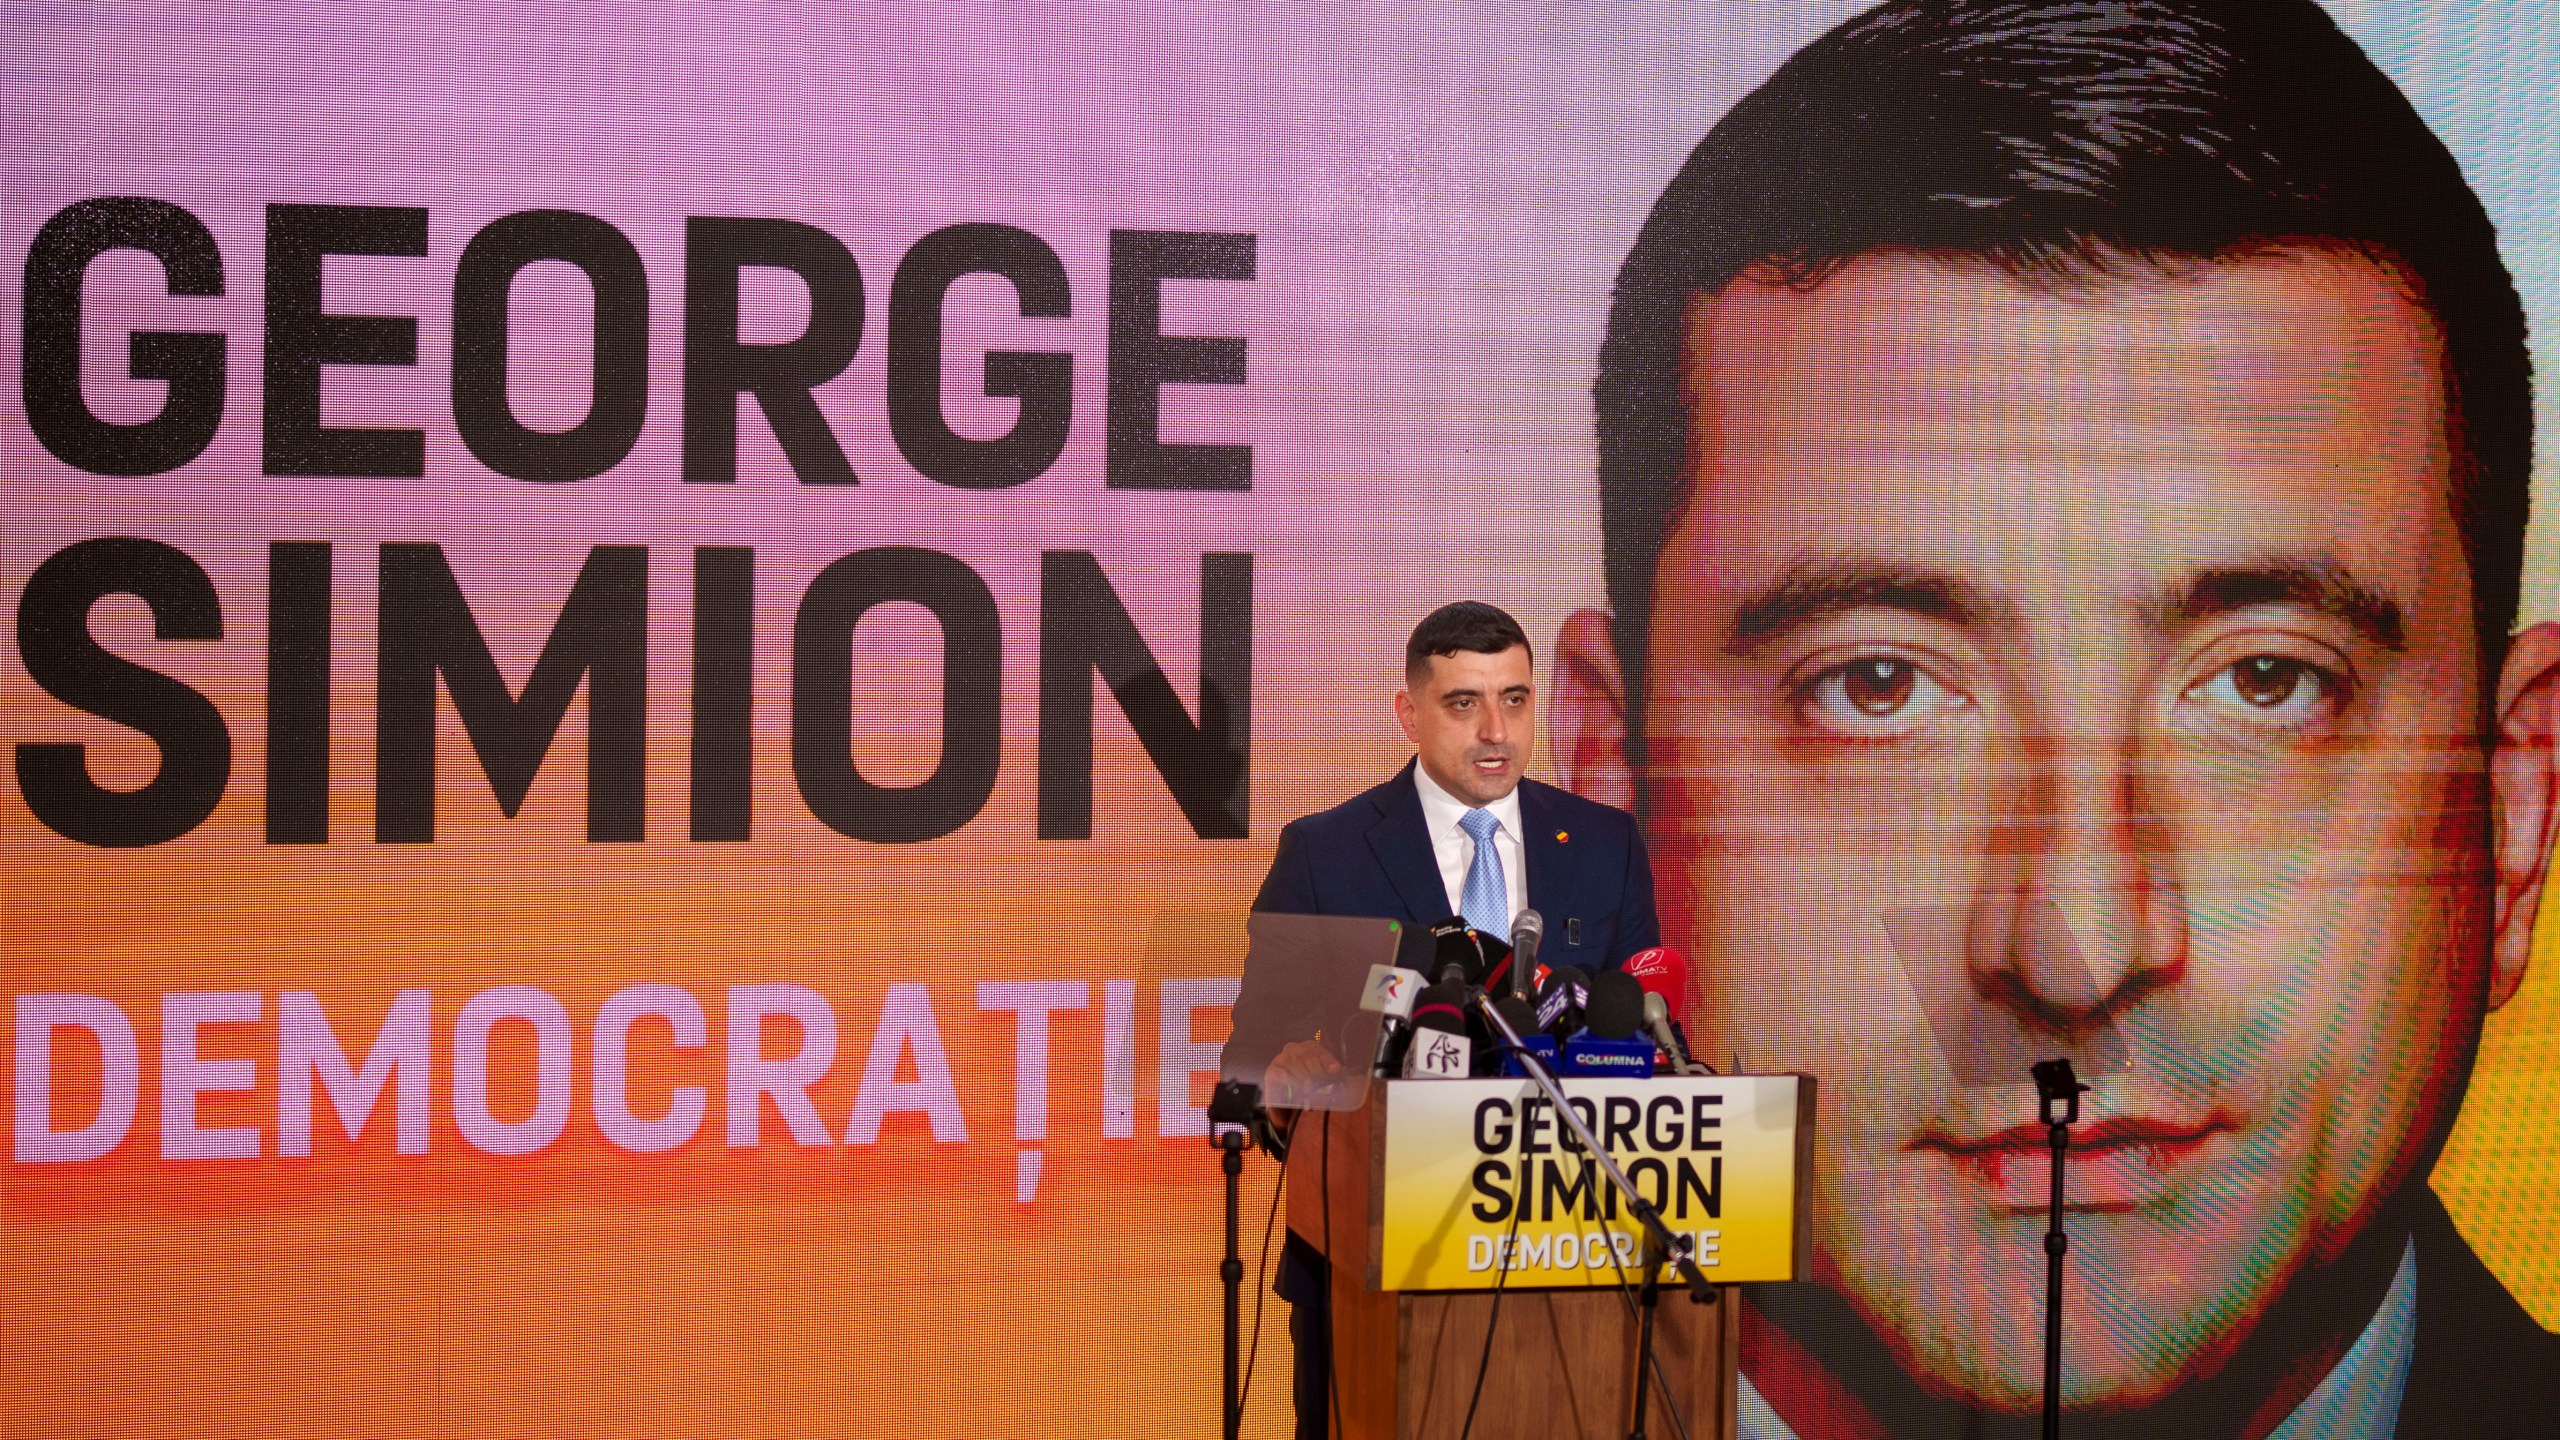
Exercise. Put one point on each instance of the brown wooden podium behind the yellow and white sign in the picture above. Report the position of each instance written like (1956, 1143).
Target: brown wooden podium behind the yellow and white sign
(1560, 1357)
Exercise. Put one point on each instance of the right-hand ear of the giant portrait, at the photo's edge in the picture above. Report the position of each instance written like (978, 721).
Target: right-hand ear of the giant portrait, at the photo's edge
(2525, 798)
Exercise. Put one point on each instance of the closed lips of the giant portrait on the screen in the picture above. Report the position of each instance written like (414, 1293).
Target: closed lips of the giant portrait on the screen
(2121, 1162)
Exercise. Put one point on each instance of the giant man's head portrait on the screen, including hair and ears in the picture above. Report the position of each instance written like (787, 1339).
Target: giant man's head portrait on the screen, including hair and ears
(2065, 483)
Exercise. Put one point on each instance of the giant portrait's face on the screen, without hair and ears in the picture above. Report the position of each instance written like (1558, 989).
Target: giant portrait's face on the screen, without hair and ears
(2077, 660)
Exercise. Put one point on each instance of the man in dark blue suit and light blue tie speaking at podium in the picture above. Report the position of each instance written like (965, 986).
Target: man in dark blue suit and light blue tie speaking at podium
(1458, 831)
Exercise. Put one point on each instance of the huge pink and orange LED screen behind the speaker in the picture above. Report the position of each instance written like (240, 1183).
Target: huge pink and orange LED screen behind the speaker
(657, 652)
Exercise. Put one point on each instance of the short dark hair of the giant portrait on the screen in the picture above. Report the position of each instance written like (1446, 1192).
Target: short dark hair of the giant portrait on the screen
(2065, 145)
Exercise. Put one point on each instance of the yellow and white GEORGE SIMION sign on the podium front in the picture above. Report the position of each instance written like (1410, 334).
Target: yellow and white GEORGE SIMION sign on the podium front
(1481, 1180)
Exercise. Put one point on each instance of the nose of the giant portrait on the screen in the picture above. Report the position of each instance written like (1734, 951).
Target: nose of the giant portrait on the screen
(2083, 913)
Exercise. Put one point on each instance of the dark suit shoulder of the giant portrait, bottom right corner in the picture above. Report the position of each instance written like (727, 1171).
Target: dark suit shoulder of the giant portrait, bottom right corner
(2482, 1370)
